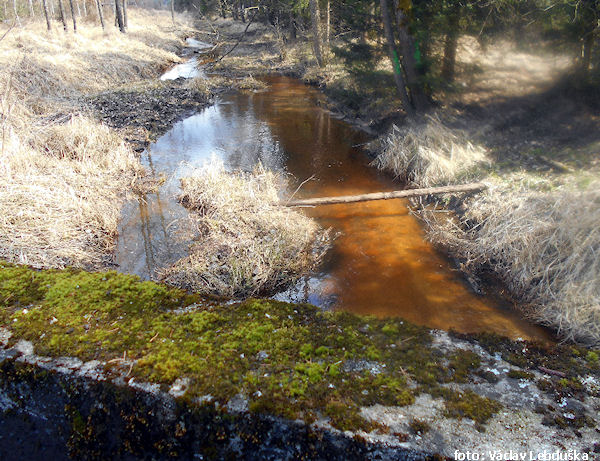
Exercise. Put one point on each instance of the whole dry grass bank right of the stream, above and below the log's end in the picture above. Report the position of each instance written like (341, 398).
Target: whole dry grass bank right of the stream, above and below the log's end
(536, 229)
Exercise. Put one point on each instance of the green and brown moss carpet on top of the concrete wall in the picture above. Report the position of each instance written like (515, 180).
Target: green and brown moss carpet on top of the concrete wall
(289, 360)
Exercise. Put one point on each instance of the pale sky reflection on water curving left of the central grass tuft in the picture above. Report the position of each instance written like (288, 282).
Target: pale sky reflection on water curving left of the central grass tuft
(153, 231)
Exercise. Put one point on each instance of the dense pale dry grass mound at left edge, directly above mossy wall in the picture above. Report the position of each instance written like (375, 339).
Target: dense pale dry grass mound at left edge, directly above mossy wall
(60, 205)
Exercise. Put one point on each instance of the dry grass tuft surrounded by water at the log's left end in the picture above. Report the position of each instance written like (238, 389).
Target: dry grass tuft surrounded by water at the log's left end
(248, 244)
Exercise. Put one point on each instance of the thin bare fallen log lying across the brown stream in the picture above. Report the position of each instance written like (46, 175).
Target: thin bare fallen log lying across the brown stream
(472, 187)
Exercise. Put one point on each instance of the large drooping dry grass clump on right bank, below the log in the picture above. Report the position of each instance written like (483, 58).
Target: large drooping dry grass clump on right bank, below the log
(544, 245)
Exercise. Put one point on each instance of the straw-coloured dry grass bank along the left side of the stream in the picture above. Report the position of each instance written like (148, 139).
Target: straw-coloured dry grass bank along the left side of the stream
(63, 174)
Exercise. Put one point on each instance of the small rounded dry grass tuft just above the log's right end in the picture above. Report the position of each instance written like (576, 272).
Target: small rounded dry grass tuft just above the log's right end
(428, 153)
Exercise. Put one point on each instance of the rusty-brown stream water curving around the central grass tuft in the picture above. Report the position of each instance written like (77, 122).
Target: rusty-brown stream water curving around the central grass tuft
(381, 263)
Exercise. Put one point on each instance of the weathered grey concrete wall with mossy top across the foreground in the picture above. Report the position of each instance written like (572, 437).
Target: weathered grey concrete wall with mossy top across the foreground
(266, 359)
